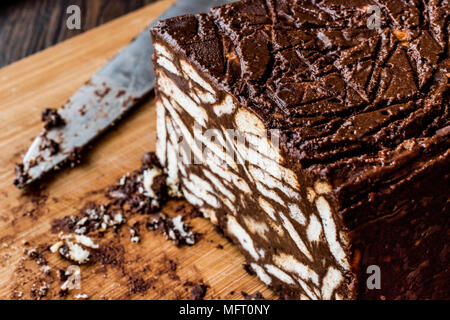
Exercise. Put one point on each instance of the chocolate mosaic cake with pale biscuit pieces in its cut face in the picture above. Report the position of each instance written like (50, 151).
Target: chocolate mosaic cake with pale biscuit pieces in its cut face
(316, 135)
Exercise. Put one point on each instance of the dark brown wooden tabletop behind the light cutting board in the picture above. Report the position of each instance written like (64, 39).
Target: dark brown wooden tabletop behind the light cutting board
(28, 26)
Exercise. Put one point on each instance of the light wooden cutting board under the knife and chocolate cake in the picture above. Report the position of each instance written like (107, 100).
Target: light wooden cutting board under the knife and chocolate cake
(140, 271)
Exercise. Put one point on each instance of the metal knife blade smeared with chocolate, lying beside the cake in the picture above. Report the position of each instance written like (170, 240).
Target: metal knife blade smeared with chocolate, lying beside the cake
(101, 102)
